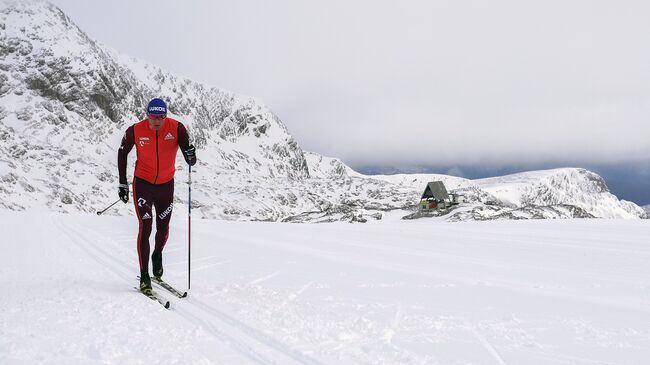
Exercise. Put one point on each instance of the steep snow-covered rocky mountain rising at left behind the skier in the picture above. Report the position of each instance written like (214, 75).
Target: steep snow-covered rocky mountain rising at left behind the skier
(66, 101)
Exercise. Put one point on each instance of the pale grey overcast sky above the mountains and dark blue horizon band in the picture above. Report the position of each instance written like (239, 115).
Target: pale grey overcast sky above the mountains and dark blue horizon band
(413, 82)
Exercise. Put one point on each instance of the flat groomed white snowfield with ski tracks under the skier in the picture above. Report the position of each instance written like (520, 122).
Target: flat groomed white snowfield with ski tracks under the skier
(416, 292)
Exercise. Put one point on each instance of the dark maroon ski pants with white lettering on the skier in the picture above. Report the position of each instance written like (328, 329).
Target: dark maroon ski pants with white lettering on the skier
(147, 196)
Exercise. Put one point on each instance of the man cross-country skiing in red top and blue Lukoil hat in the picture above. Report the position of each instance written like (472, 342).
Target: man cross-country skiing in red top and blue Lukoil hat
(157, 140)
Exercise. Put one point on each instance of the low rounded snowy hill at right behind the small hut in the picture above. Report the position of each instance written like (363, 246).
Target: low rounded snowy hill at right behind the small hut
(555, 193)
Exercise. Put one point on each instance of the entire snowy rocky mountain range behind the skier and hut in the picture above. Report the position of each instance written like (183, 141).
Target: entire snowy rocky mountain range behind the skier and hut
(65, 101)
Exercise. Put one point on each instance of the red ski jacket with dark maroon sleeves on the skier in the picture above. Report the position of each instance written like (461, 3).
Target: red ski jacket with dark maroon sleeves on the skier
(156, 150)
